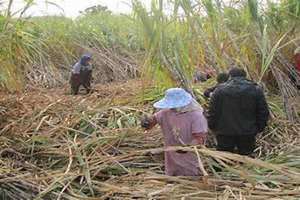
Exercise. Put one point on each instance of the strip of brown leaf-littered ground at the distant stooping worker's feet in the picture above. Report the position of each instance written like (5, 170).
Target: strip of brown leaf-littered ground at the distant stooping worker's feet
(18, 105)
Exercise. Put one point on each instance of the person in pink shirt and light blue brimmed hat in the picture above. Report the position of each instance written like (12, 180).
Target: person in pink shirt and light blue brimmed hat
(183, 123)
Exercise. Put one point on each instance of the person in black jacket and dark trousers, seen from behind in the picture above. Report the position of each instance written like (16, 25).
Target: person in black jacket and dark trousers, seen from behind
(238, 111)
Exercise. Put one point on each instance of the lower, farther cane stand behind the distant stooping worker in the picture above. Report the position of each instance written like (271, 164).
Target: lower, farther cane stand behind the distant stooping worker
(41, 50)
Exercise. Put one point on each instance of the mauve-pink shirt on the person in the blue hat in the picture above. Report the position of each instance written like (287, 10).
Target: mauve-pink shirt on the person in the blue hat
(179, 129)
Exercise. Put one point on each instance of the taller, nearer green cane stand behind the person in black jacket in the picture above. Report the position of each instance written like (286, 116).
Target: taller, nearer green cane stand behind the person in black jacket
(208, 33)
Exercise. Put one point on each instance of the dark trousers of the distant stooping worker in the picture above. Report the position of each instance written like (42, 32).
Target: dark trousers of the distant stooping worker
(77, 80)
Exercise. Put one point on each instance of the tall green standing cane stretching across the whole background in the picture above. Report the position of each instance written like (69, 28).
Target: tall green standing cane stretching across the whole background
(192, 34)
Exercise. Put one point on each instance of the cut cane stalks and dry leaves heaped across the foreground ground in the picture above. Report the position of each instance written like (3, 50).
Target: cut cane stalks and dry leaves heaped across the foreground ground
(62, 147)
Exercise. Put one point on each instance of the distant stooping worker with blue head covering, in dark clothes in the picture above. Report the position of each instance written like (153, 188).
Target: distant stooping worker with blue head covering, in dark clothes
(81, 75)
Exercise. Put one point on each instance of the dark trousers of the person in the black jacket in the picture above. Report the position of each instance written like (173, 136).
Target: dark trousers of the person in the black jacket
(245, 144)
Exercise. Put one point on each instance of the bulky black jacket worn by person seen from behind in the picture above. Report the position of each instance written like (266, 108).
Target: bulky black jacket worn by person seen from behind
(238, 107)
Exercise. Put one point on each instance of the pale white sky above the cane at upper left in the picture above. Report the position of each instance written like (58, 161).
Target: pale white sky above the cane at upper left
(71, 8)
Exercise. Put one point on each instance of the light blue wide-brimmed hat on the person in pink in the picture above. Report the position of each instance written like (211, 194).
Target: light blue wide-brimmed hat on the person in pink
(174, 98)
